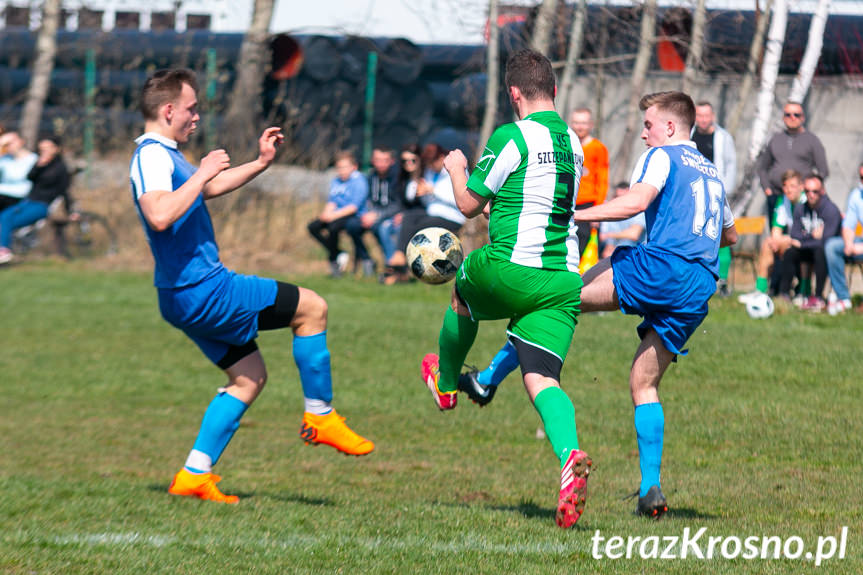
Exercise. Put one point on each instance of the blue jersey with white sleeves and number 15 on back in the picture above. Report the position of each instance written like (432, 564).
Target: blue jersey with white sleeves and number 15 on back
(690, 211)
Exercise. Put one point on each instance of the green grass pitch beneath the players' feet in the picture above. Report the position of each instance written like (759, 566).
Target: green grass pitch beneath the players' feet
(101, 401)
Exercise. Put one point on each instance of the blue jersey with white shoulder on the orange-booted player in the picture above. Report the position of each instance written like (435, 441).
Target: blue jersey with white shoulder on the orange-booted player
(186, 253)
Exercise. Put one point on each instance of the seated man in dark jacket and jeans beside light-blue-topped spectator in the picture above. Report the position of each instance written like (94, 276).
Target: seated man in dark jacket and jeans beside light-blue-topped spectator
(383, 205)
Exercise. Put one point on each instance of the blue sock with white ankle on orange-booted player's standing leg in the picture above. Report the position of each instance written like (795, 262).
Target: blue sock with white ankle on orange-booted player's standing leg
(221, 420)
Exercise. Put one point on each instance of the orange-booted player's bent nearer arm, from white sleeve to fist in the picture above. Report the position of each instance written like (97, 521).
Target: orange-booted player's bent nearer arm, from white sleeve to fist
(161, 208)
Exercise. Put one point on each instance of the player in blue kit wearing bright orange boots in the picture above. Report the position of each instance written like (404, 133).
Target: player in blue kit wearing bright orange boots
(219, 310)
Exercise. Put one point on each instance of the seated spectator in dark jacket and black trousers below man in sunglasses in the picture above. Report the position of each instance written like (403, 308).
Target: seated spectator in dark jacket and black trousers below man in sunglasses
(814, 222)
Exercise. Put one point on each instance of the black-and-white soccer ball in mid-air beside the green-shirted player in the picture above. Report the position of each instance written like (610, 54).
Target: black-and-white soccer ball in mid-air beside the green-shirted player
(434, 255)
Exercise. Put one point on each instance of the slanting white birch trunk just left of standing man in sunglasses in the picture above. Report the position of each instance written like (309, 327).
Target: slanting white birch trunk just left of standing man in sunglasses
(769, 71)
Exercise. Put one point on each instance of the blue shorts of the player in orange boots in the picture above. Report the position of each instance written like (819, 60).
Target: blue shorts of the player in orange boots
(219, 312)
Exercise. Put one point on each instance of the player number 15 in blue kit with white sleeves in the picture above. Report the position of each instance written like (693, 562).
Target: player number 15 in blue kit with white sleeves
(667, 280)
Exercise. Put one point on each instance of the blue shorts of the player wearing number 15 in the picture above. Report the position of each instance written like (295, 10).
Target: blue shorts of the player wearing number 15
(669, 292)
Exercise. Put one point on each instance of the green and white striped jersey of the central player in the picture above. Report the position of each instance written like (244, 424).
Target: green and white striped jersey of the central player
(531, 170)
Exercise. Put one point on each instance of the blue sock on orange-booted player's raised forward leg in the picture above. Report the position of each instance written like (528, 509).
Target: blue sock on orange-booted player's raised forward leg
(313, 360)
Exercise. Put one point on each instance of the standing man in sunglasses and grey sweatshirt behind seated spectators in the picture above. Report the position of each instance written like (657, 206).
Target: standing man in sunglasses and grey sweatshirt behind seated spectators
(792, 149)
